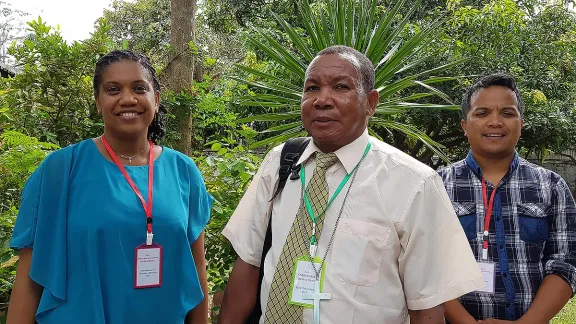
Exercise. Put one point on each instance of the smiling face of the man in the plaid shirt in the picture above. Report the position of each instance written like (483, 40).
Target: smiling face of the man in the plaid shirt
(493, 124)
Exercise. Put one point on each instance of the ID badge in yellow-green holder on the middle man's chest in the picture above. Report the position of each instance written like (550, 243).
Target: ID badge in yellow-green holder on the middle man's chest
(304, 280)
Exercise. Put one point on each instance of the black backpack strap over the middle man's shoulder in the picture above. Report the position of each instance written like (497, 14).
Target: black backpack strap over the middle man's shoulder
(291, 152)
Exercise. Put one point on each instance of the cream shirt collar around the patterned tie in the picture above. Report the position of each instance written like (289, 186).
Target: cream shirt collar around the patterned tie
(349, 155)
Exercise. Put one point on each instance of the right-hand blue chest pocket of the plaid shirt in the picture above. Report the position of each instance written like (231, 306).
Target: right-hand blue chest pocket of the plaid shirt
(533, 221)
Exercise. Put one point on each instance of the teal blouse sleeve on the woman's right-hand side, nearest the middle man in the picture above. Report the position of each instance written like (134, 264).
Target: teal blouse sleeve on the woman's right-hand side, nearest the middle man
(200, 205)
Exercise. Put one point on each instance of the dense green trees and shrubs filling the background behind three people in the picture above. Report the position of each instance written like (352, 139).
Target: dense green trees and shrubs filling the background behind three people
(248, 59)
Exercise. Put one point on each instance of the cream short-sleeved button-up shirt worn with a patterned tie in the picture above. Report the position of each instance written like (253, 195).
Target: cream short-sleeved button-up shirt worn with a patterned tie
(398, 244)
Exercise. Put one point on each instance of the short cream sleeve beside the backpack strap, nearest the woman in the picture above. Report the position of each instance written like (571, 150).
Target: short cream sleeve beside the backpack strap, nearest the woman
(247, 226)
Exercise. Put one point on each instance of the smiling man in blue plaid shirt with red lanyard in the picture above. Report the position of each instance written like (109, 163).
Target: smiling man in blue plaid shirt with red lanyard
(519, 218)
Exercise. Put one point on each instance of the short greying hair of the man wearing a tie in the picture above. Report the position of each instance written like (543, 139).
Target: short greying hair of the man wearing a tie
(362, 64)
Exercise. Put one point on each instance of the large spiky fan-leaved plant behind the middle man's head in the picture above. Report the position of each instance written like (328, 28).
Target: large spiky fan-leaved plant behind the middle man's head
(384, 35)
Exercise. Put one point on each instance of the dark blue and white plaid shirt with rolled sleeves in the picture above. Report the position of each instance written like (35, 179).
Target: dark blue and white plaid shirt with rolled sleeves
(532, 232)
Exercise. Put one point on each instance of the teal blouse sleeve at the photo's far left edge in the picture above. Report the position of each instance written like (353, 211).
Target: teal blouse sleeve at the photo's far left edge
(25, 227)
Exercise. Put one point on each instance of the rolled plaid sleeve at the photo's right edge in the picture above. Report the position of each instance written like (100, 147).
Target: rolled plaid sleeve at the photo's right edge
(560, 249)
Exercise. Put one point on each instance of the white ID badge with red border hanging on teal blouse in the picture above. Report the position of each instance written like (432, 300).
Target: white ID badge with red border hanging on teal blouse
(148, 266)
